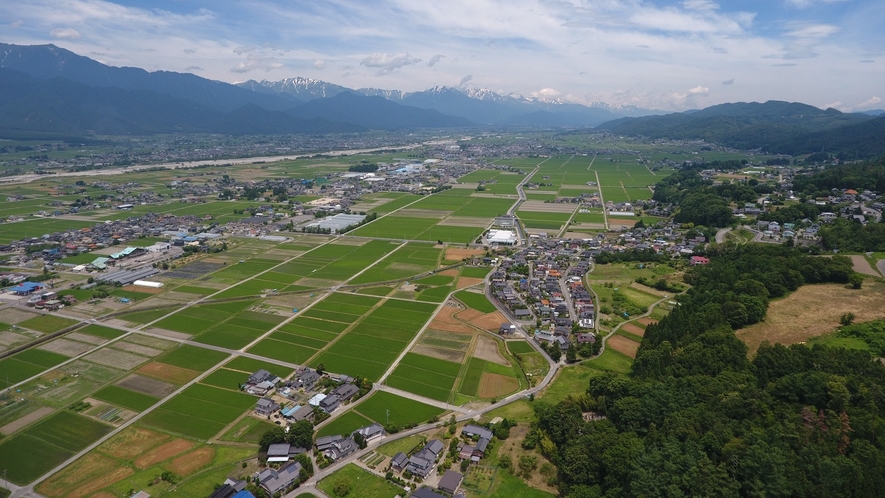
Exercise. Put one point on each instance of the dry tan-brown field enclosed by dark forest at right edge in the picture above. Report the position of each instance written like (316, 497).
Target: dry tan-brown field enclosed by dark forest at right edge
(814, 310)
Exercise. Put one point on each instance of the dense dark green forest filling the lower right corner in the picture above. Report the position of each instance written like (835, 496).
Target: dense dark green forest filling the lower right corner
(696, 417)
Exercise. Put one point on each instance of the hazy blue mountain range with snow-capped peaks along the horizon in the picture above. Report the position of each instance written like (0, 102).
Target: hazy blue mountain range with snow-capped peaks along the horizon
(47, 91)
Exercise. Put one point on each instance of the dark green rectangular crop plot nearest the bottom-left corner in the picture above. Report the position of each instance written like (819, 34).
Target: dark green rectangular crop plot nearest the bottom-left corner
(47, 444)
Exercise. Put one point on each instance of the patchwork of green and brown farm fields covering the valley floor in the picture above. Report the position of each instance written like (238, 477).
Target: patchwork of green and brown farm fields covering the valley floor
(352, 305)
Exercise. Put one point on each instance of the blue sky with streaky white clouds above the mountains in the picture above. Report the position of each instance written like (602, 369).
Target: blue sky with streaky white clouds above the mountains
(655, 54)
